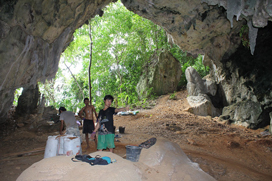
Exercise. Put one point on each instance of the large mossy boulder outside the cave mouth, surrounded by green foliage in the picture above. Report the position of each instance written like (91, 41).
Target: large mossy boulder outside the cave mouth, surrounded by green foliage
(162, 75)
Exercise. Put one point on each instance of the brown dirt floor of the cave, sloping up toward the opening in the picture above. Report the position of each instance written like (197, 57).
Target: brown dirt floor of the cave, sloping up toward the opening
(226, 152)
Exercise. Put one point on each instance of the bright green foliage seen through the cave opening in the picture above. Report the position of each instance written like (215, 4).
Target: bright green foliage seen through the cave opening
(122, 43)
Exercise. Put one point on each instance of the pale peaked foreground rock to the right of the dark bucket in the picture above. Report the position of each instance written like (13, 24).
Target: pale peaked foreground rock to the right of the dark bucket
(167, 161)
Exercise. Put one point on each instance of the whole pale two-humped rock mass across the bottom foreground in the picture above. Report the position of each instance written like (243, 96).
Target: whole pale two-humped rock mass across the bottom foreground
(163, 161)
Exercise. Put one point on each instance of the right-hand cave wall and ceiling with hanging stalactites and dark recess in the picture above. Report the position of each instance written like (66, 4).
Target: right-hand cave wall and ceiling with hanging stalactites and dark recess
(212, 28)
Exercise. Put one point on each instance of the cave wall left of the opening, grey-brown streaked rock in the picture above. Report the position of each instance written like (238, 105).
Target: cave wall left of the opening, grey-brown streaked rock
(33, 34)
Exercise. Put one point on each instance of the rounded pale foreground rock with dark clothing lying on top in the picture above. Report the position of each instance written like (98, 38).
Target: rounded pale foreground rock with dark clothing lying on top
(62, 168)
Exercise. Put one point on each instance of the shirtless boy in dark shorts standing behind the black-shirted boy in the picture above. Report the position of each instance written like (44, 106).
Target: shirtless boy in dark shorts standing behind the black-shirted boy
(88, 122)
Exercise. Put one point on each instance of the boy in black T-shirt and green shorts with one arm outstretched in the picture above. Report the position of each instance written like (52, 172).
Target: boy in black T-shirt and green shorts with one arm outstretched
(105, 125)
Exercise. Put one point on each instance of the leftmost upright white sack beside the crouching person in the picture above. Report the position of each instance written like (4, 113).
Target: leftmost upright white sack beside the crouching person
(51, 147)
